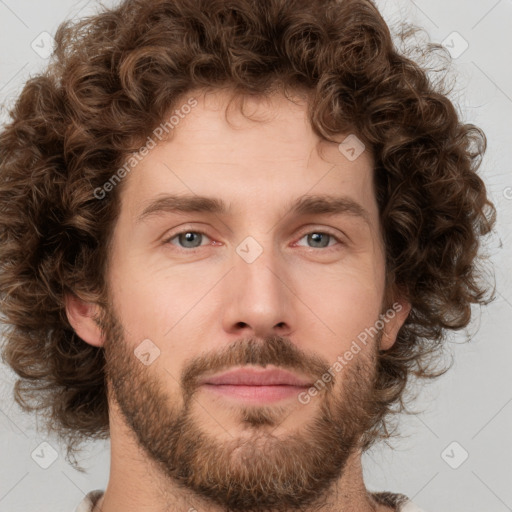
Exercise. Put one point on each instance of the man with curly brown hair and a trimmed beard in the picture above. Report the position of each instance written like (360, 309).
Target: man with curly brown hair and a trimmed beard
(232, 232)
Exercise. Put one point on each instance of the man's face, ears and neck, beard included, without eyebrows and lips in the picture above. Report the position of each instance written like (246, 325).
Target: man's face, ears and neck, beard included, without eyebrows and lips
(299, 305)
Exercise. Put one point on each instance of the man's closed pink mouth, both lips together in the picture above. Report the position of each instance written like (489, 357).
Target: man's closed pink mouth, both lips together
(256, 385)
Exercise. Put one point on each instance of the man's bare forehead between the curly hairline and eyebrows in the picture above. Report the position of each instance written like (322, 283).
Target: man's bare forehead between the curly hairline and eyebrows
(269, 155)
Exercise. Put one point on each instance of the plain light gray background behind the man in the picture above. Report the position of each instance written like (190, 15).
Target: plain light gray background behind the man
(471, 406)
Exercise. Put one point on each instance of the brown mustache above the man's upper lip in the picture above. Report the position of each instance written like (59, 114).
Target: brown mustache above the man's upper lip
(272, 350)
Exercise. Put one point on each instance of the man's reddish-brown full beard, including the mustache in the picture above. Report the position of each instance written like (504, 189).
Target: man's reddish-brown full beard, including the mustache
(256, 471)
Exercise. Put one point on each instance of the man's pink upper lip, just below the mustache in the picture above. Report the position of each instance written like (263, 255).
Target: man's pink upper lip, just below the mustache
(257, 377)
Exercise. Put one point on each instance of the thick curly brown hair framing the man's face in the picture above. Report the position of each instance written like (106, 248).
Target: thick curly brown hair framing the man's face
(110, 82)
